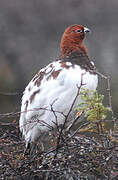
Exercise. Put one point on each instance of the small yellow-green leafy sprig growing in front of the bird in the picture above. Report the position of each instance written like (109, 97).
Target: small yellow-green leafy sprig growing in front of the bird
(92, 103)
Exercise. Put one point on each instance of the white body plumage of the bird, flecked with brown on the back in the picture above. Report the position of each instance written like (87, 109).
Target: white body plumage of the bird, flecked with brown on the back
(55, 84)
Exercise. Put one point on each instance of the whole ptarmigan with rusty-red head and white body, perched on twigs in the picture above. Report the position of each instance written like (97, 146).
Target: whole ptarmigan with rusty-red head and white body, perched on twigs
(57, 84)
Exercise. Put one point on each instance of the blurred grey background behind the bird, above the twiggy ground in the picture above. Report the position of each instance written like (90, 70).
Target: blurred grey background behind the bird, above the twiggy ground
(30, 33)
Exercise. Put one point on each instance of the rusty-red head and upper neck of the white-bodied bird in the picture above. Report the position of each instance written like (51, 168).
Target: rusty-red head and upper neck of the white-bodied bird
(72, 40)
